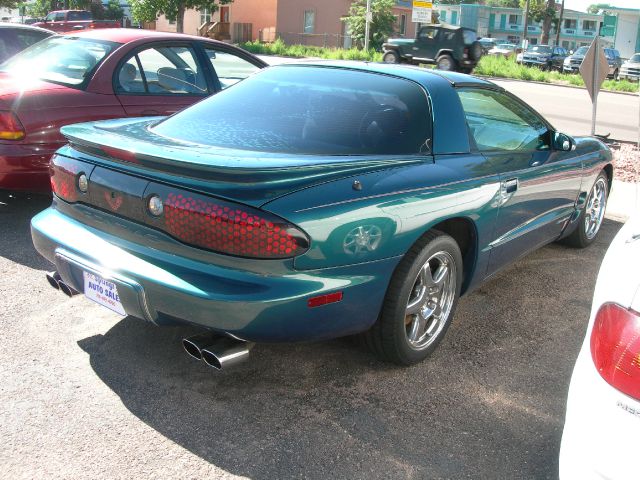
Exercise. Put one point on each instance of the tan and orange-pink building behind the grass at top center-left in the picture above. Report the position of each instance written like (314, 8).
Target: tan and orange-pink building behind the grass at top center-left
(309, 22)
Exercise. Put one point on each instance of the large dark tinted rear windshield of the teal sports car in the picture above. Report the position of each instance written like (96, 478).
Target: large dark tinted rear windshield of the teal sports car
(309, 110)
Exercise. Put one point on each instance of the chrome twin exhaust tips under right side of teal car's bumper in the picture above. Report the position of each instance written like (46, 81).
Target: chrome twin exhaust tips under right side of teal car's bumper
(216, 351)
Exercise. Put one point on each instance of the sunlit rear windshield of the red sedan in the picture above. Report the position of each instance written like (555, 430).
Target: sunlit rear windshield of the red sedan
(66, 60)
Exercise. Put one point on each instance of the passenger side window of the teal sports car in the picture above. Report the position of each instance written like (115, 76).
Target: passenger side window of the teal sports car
(497, 121)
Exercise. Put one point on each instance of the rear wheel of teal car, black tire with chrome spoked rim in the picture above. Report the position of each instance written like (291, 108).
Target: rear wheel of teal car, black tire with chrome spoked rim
(389, 338)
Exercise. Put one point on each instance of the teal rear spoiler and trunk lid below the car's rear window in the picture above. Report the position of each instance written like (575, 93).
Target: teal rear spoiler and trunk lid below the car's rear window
(253, 177)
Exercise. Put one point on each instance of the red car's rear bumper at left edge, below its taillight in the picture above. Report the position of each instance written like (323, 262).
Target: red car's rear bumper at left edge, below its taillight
(25, 167)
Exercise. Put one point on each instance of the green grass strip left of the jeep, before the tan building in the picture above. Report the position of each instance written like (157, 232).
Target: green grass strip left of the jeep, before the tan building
(300, 51)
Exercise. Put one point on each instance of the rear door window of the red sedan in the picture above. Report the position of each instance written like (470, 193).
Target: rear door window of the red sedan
(165, 71)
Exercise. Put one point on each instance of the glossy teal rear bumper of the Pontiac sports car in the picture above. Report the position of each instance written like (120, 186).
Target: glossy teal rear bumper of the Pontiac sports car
(165, 288)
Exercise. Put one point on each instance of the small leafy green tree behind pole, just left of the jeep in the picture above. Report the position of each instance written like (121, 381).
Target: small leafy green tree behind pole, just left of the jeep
(381, 26)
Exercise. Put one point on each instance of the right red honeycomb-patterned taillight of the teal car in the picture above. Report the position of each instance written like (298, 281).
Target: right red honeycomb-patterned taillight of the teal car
(230, 228)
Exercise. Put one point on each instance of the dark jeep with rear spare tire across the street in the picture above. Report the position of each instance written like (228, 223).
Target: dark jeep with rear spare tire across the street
(448, 46)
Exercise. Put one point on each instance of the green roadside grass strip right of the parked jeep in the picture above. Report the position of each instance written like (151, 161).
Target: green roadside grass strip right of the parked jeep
(494, 66)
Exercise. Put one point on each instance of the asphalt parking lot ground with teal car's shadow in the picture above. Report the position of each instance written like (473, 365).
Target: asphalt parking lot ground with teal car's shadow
(87, 394)
